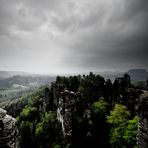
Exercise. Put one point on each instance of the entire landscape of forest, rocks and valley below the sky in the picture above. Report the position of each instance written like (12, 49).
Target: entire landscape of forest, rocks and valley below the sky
(77, 111)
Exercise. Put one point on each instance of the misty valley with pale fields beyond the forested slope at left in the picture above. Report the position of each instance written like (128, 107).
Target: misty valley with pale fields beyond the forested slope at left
(13, 86)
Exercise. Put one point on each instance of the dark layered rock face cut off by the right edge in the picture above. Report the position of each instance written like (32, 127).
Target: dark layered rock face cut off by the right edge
(142, 137)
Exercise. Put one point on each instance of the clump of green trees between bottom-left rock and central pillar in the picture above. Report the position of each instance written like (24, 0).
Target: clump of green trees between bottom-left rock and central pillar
(46, 131)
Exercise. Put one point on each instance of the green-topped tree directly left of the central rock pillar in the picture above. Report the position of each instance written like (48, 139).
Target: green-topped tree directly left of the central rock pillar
(48, 132)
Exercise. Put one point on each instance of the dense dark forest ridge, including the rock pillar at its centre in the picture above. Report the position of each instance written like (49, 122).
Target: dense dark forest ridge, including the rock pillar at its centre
(79, 111)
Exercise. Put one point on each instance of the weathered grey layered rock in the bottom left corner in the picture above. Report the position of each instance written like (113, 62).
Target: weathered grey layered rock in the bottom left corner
(8, 130)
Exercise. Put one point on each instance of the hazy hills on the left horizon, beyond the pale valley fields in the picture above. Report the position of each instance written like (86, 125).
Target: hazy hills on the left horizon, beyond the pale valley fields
(13, 79)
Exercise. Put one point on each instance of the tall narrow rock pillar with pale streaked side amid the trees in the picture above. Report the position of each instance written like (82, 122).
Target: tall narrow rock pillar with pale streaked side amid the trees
(65, 112)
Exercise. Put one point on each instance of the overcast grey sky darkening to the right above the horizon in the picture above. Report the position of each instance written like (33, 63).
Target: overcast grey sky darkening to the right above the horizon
(73, 36)
